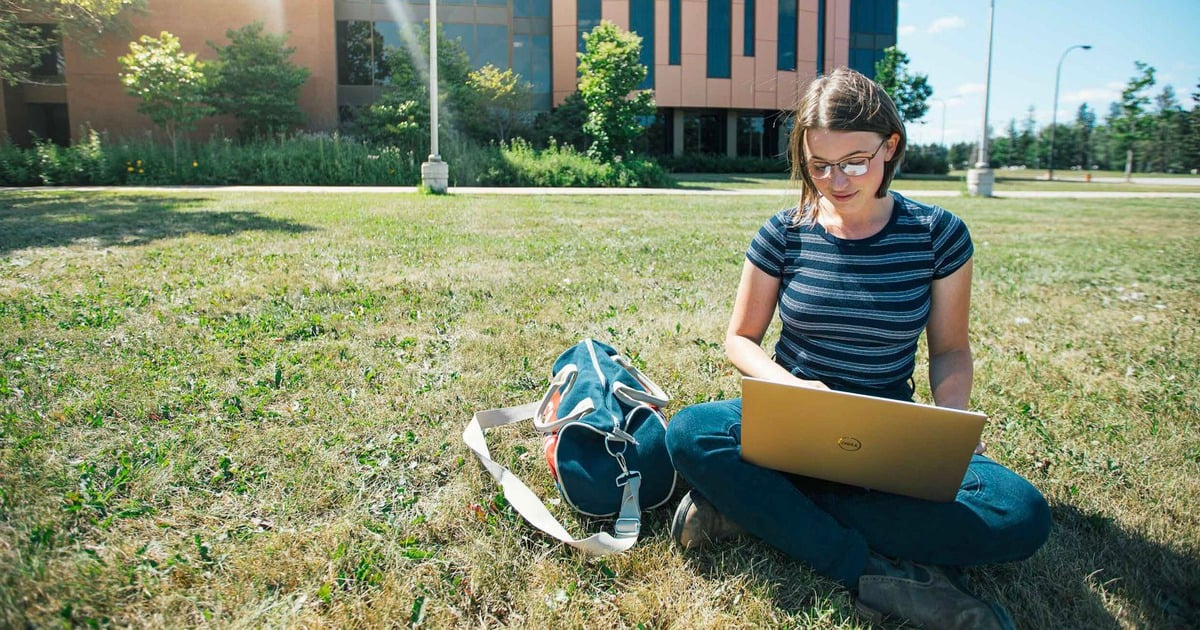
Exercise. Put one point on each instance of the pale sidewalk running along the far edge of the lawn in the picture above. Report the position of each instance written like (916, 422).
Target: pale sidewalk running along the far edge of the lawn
(598, 193)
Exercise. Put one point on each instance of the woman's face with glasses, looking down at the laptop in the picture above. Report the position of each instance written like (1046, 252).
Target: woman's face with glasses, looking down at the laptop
(836, 161)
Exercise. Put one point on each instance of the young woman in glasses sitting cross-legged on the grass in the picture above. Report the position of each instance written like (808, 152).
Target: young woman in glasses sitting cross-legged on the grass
(856, 274)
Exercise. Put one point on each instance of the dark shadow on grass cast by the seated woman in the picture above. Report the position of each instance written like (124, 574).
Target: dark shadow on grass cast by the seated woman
(1090, 559)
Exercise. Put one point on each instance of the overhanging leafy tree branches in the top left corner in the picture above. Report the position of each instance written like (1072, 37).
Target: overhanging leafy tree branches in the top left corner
(22, 45)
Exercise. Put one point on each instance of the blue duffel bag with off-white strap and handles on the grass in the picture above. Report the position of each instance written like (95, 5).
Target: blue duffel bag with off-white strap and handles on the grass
(604, 440)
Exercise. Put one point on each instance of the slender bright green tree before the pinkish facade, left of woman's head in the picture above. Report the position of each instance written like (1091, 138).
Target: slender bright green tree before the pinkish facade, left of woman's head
(609, 71)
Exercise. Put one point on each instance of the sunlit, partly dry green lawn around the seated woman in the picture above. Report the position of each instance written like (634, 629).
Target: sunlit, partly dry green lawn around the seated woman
(245, 410)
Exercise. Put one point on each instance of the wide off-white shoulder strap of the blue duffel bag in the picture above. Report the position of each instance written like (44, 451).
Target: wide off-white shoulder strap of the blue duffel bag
(629, 521)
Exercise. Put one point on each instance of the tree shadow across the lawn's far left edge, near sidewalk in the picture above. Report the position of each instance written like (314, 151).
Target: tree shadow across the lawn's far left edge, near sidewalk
(59, 220)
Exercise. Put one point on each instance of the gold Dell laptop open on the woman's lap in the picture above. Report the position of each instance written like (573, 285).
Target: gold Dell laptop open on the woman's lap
(904, 448)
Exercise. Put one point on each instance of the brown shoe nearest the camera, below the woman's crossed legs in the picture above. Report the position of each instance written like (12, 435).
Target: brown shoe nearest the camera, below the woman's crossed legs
(925, 596)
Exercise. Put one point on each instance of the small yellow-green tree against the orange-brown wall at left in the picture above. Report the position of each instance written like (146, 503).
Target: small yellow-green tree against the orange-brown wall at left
(170, 82)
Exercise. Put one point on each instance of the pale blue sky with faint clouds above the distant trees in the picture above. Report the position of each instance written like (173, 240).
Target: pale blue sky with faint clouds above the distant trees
(947, 41)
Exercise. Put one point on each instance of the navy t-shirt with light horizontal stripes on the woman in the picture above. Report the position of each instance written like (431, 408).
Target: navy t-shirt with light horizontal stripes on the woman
(854, 310)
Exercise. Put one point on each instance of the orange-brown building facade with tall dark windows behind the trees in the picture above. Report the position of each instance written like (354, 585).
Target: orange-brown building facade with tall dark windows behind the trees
(724, 73)
